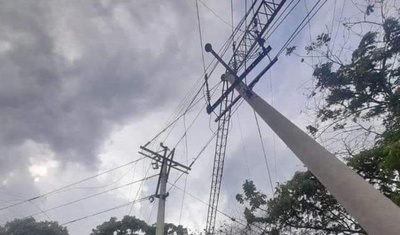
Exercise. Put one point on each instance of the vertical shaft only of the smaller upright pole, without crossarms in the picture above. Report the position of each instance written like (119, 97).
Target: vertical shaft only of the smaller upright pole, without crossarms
(161, 200)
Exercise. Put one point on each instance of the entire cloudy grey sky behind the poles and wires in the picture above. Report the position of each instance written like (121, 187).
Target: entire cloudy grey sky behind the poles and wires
(85, 83)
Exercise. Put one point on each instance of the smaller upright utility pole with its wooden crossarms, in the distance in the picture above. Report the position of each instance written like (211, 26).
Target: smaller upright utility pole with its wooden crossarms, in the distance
(167, 163)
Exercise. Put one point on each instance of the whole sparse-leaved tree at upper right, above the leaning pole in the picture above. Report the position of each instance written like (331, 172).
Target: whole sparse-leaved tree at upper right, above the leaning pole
(355, 93)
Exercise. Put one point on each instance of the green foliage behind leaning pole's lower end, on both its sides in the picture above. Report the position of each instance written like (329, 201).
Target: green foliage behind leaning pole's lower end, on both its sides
(302, 204)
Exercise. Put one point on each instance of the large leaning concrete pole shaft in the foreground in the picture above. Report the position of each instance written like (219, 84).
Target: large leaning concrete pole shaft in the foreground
(375, 212)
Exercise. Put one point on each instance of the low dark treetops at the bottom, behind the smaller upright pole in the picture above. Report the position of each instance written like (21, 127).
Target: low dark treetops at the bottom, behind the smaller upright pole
(129, 225)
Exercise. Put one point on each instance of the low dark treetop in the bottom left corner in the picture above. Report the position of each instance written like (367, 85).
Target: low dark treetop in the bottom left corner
(29, 226)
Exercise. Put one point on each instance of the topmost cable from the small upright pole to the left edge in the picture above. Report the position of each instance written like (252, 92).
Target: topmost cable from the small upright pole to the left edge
(69, 185)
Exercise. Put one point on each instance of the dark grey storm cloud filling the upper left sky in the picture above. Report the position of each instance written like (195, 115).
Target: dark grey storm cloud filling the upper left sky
(71, 71)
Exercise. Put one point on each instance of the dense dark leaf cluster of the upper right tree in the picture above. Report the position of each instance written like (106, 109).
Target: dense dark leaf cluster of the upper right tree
(367, 86)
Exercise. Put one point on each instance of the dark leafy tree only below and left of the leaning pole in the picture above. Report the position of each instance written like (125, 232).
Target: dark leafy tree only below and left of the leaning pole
(302, 204)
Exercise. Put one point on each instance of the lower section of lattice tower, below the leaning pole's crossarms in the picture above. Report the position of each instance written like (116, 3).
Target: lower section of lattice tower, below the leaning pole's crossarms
(219, 158)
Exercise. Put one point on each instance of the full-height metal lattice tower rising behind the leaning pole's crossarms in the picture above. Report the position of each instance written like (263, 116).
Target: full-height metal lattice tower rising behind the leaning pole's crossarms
(251, 49)
